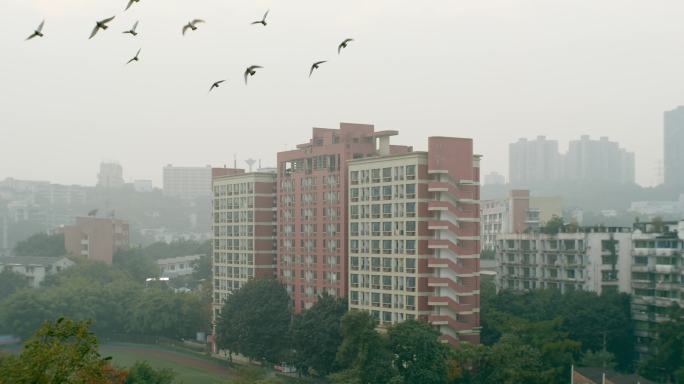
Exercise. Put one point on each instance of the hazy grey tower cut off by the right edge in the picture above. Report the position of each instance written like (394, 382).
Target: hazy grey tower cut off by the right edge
(673, 144)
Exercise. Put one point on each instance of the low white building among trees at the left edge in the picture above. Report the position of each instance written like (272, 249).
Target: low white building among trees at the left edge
(34, 269)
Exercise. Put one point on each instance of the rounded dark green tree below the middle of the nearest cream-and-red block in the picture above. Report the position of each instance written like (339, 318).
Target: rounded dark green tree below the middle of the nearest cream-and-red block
(419, 356)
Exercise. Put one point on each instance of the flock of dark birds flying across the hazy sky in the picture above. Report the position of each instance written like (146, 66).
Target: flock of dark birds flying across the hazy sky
(192, 26)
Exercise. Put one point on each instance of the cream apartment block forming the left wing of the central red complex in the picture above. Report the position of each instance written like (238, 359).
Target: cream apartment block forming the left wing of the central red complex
(244, 230)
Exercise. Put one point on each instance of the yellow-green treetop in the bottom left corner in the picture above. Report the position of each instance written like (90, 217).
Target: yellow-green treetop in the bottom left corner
(64, 351)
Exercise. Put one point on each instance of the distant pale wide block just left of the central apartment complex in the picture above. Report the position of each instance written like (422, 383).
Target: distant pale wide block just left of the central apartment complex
(187, 183)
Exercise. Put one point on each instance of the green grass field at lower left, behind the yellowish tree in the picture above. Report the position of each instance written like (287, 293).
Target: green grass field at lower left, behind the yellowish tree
(189, 368)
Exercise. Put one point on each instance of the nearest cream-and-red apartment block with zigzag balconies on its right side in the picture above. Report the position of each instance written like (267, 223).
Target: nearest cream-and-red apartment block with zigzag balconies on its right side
(414, 237)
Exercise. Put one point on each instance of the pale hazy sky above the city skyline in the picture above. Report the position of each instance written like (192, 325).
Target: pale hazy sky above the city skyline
(493, 70)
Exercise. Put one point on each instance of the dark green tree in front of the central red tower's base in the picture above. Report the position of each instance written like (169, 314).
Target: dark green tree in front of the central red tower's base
(316, 335)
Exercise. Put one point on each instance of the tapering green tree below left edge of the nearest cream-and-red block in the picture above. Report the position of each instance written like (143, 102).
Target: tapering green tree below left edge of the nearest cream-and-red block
(364, 354)
